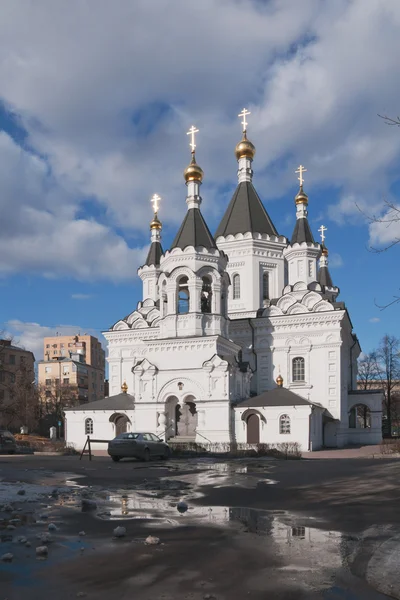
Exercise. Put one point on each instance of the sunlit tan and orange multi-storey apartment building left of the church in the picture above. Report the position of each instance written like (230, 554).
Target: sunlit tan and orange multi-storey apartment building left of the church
(73, 369)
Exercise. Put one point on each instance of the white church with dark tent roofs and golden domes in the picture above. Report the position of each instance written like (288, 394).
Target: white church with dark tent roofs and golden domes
(239, 336)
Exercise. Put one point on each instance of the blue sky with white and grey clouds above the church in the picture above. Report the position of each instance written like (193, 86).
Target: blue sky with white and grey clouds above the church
(95, 101)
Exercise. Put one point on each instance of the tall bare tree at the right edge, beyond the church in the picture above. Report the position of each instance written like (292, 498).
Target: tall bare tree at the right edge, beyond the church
(388, 365)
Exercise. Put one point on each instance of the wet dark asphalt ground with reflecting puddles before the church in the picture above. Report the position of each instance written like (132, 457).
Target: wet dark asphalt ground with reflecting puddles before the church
(253, 528)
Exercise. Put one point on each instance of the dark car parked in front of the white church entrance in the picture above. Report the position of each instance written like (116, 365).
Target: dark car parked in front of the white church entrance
(137, 445)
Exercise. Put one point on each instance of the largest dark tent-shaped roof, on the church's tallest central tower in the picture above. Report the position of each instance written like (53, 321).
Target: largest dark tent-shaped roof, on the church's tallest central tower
(245, 213)
